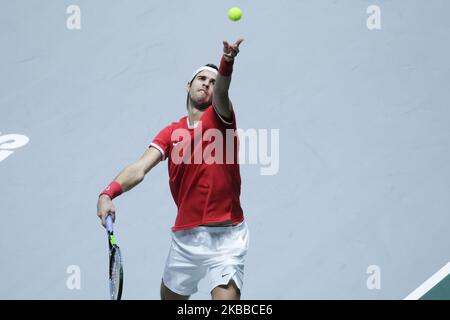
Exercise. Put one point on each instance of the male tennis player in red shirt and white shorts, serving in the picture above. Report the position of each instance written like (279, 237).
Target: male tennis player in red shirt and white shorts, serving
(209, 237)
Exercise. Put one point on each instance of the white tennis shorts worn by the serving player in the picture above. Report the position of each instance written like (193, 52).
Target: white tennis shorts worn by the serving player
(217, 251)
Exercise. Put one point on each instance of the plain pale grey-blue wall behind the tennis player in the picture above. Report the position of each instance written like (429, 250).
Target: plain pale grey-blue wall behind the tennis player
(364, 141)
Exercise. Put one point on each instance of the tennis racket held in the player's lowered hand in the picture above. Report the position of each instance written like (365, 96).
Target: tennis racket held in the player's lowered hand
(115, 263)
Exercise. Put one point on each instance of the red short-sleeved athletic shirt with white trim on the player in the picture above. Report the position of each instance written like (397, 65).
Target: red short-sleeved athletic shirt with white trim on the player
(207, 189)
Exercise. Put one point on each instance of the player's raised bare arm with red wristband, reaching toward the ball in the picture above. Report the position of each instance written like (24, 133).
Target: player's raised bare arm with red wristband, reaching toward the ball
(221, 100)
